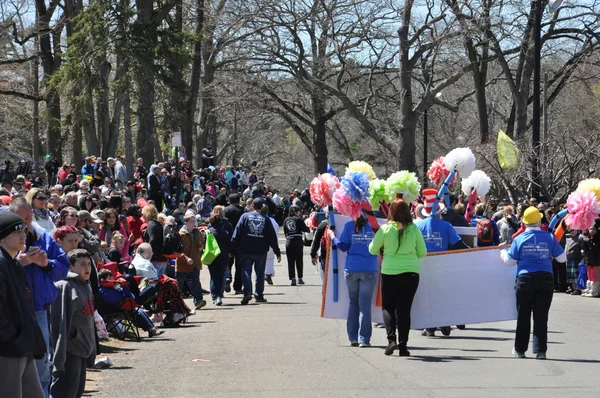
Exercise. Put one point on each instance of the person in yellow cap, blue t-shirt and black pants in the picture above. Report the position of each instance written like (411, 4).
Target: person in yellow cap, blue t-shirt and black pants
(532, 252)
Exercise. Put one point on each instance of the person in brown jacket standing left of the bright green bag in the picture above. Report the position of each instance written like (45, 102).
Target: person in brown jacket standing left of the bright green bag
(189, 262)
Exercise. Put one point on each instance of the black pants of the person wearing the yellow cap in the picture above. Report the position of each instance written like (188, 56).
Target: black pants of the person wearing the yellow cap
(534, 293)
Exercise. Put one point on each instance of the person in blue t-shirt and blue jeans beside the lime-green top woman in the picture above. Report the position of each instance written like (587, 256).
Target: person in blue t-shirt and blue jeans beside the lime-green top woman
(360, 272)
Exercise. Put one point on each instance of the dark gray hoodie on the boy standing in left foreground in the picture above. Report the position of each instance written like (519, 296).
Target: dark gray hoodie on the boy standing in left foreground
(73, 330)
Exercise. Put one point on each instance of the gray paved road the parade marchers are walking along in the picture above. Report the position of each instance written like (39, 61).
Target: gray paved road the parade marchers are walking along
(283, 349)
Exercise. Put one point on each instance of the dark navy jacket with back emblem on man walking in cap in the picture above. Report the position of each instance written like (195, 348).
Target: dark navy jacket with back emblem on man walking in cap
(254, 234)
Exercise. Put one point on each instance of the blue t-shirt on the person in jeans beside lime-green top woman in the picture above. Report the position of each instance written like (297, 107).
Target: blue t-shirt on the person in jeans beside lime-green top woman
(356, 244)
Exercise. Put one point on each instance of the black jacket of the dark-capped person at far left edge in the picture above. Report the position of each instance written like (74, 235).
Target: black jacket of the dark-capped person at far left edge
(20, 335)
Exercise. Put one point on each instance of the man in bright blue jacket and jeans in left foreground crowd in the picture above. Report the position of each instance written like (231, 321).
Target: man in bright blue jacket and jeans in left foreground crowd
(45, 262)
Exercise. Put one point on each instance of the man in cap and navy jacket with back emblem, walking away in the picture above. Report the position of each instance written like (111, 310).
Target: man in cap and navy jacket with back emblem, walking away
(253, 236)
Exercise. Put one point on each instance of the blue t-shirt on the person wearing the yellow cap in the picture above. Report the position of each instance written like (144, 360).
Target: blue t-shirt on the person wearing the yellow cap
(533, 250)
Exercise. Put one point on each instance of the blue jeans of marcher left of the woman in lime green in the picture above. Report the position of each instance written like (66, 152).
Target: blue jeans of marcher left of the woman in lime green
(361, 286)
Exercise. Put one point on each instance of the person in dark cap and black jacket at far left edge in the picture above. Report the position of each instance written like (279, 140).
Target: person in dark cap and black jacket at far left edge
(21, 339)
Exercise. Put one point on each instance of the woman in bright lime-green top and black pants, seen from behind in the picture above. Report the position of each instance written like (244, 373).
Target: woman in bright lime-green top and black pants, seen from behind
(403, 246)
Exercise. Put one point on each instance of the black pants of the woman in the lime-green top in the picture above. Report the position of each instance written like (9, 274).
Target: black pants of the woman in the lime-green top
(397, 294)
